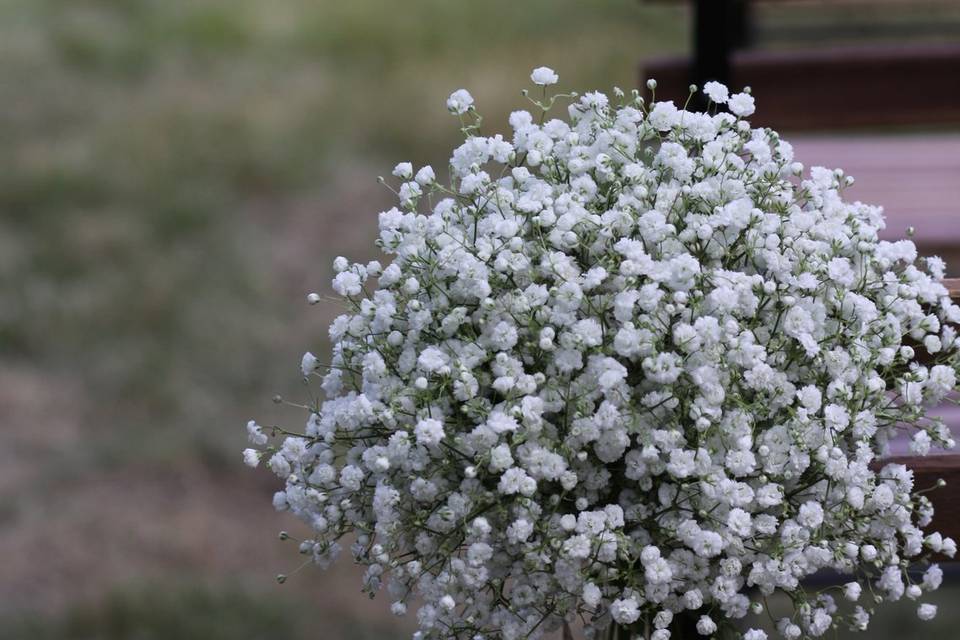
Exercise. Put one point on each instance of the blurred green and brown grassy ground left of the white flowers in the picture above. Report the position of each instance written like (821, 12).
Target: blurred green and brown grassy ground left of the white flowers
(175, 175)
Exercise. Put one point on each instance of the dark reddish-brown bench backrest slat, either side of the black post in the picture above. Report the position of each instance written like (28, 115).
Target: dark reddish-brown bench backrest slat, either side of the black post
(800, 90)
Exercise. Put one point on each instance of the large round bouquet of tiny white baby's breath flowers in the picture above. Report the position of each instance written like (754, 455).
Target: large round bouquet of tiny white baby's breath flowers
(631, 371)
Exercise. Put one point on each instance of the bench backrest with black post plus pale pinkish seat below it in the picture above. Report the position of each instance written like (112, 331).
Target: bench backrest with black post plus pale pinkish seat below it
(901, 86)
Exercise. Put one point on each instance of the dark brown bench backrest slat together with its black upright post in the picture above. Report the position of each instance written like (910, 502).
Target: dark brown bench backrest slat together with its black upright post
(904, 84)
